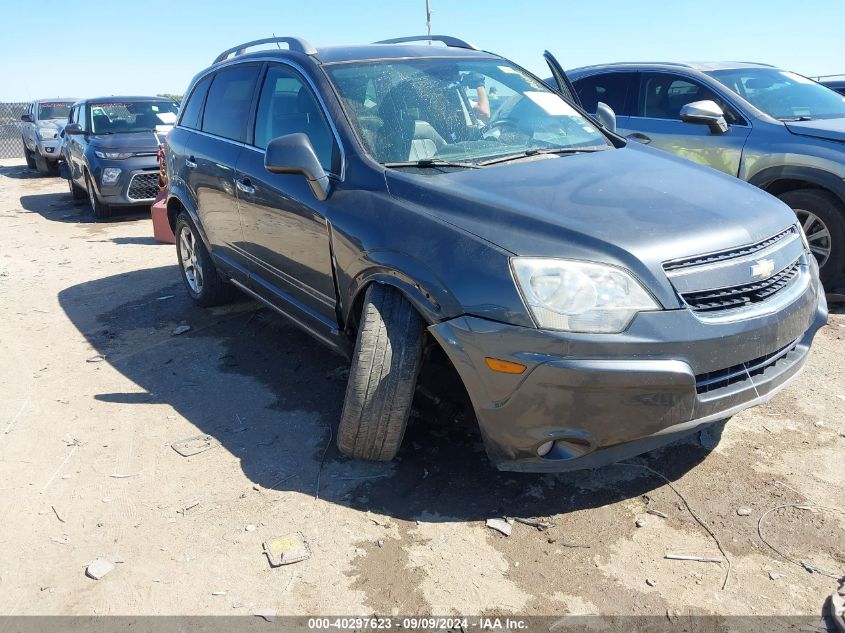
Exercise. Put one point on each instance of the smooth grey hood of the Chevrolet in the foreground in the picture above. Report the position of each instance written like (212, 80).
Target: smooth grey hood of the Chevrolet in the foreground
(635, 206)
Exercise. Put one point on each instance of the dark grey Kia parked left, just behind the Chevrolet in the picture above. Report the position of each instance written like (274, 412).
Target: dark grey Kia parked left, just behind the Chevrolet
(111, 147)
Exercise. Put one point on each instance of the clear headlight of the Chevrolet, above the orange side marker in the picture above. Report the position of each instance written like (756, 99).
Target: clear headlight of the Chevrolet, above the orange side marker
(579, 296)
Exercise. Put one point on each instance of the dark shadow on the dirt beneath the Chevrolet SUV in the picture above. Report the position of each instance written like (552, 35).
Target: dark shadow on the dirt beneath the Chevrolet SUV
(272, 397)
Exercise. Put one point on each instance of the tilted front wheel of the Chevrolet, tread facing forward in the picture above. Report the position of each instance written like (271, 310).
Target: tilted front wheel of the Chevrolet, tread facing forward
(383, 376)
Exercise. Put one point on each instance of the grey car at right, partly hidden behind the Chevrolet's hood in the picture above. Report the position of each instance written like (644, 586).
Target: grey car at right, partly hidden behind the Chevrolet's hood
(770, 127)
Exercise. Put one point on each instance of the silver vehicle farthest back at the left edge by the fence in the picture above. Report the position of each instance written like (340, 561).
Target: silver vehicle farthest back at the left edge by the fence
(41, 127)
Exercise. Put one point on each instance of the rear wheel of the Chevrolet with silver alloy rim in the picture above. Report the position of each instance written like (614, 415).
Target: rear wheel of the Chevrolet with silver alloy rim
(199, 274)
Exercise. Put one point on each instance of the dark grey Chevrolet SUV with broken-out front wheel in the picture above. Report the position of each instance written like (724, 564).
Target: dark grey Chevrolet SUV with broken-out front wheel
(598, 298)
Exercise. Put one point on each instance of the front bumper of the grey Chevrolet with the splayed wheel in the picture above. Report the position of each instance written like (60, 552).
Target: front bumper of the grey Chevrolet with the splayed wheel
(603, 398)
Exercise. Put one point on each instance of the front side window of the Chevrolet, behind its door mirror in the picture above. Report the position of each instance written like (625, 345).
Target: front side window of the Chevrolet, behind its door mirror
(286, 106)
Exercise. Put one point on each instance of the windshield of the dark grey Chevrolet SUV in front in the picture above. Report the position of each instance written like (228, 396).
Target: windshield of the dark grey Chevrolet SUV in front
(468, 112)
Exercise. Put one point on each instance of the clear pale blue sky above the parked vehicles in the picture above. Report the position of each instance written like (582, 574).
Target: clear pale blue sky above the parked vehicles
(152, 46)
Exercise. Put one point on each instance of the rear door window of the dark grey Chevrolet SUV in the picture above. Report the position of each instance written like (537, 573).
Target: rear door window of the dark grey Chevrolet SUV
(228, 102)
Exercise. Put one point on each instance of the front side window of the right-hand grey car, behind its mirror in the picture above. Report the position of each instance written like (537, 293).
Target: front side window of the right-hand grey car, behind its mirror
(663, 95)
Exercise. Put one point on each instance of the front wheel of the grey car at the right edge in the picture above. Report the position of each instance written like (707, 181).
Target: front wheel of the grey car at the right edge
(823, 218)
